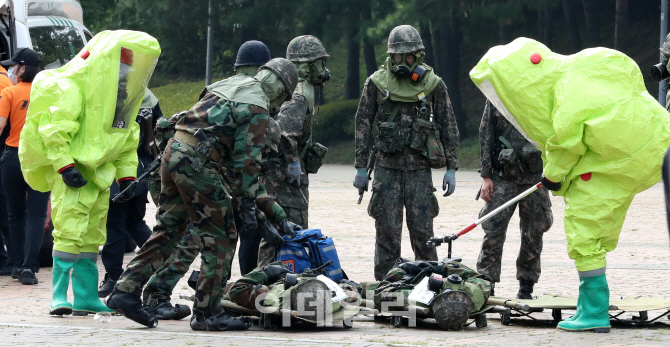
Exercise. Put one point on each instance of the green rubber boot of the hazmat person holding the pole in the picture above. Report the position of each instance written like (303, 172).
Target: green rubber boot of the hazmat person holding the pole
(592, 307)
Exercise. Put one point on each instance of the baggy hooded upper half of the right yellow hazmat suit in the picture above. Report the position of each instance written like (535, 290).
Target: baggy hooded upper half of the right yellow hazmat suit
(588, 112)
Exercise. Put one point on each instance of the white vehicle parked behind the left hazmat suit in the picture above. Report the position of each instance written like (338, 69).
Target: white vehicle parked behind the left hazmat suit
(53, 28)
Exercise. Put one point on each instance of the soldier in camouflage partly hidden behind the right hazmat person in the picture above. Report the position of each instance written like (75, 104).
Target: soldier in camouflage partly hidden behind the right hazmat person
(511, 165)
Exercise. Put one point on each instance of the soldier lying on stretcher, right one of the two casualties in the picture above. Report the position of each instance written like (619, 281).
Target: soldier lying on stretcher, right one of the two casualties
(452, 313)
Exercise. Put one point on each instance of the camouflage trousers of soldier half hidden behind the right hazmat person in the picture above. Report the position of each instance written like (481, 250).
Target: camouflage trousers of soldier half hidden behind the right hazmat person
(536, 219)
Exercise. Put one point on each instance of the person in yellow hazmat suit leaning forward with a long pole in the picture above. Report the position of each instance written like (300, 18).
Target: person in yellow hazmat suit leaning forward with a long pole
(602, 137)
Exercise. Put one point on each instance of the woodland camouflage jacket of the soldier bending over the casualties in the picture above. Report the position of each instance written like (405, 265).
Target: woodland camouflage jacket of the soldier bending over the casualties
(240, 132)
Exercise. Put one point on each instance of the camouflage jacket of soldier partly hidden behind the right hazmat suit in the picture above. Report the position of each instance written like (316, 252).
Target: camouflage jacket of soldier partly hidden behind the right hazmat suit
(492, 127)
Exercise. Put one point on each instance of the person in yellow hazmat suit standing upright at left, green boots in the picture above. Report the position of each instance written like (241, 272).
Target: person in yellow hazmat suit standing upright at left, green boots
(80, 135)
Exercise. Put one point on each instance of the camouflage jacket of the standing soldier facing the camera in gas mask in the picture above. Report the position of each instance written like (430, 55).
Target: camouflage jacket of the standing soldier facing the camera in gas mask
(370, 112)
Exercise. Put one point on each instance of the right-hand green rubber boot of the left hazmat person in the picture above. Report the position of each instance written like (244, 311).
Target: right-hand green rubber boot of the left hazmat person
(85, 288)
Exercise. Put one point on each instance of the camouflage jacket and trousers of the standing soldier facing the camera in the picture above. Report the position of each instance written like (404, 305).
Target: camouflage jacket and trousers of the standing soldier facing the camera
(403, 178)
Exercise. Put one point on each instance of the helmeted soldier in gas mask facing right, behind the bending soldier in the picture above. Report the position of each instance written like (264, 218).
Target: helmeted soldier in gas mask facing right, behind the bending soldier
(287, 176)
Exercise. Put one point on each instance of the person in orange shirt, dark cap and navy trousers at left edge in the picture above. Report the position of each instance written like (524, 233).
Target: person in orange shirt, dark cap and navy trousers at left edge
(25, 215)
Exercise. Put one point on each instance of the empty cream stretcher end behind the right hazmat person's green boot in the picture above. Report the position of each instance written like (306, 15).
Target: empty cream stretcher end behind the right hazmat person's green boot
(558, 303)
